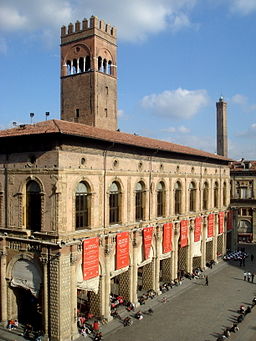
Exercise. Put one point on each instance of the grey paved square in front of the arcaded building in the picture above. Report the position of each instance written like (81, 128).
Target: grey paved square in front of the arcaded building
(193, 311)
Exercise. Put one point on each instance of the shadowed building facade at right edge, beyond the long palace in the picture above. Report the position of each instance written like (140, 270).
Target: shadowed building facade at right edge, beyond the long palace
(243, 199)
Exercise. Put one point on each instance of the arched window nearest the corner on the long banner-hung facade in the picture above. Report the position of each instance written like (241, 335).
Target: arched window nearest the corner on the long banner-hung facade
(83, 205)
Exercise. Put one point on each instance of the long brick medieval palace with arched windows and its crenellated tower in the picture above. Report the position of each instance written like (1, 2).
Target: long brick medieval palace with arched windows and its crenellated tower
(86, 210)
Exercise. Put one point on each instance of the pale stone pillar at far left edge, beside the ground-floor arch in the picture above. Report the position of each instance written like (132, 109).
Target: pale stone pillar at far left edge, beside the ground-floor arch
(3, 284)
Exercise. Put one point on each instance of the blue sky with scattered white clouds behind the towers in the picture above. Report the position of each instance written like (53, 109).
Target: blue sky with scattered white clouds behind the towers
(175, 59)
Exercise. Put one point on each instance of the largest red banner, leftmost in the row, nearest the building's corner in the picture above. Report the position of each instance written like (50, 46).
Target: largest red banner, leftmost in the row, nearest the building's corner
(90, 258)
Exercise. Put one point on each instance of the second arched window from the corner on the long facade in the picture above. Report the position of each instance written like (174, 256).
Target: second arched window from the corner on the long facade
(114, 203)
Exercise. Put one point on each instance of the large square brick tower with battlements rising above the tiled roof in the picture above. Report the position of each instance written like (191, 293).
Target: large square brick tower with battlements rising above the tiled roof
(88, 74)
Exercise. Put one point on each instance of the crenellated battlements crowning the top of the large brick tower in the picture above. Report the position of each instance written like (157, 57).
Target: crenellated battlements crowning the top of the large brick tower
(88, 25)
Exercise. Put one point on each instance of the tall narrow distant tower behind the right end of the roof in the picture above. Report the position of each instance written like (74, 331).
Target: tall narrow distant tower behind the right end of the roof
(222, 138)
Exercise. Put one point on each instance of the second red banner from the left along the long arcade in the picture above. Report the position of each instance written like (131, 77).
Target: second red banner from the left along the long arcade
(122, 250)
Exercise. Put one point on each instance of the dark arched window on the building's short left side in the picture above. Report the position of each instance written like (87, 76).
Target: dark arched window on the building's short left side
(33, 206)
